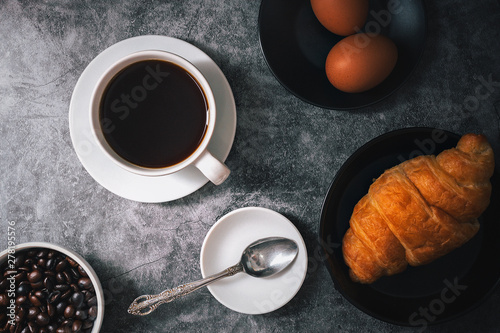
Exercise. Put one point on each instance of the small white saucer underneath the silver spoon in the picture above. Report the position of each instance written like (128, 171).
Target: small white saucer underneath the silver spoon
(223, 246)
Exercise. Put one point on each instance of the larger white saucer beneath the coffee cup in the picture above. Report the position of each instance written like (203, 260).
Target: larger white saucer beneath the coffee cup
(106, 172)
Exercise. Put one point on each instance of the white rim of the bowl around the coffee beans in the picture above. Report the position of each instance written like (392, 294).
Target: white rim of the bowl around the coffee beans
(82, 262)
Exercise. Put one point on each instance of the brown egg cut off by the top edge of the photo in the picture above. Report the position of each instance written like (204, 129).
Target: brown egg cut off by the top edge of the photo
(342, 17)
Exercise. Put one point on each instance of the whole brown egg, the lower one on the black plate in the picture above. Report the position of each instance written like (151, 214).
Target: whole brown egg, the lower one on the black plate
(360, 62)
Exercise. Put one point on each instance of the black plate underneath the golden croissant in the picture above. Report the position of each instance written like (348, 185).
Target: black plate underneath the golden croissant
(422, 295)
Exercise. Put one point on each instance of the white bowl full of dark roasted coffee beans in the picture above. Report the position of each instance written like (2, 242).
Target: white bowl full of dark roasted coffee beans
(47, 288)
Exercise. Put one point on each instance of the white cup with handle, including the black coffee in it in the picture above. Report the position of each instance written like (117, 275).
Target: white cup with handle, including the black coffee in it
(153, 113)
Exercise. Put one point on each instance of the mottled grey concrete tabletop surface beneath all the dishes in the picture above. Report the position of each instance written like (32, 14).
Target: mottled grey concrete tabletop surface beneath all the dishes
(284, 157)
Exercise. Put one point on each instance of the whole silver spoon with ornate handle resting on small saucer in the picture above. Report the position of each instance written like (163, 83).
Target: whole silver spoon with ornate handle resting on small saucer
(262, 258)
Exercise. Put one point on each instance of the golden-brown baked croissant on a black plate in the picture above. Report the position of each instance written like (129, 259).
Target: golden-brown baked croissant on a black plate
(419, 210)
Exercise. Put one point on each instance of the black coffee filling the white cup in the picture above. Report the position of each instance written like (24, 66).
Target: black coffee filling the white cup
(154, 114)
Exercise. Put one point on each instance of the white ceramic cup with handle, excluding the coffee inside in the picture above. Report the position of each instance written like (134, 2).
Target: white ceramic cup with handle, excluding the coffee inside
(201, 158)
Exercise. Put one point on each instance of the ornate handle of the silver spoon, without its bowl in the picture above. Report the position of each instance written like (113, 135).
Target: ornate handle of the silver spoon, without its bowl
(151, 302)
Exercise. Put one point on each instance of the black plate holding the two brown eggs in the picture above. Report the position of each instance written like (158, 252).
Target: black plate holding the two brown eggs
(295, 46)
